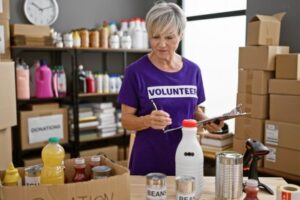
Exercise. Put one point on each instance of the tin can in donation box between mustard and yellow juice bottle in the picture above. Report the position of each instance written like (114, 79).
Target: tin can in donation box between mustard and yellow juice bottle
(33, 175)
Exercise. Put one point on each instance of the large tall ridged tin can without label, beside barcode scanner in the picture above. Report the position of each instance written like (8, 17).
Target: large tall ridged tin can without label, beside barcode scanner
(229, 176)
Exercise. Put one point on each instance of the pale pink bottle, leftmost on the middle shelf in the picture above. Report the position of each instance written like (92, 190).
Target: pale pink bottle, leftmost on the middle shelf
(22, 77)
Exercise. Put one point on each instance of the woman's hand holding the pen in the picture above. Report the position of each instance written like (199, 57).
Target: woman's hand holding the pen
(159, 119)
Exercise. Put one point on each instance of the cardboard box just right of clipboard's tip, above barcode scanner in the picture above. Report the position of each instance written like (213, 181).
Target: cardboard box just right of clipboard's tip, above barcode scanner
(246, 127)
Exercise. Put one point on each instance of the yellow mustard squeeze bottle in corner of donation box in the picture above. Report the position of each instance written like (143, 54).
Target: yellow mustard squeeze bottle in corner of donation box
(12, 176)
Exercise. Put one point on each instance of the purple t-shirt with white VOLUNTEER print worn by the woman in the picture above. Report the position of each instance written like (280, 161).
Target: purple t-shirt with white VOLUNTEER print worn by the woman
(177, 93)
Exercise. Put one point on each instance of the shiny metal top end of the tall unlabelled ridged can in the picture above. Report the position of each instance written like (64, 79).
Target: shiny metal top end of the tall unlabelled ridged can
(229, 158)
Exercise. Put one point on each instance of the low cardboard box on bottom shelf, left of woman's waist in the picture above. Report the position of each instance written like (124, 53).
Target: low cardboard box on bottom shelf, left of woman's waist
(110, 152)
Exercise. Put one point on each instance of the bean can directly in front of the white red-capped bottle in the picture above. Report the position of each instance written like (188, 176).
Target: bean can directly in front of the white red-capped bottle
(185, 188)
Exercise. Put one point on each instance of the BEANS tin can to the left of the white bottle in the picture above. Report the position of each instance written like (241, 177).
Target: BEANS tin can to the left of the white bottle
(156, 186)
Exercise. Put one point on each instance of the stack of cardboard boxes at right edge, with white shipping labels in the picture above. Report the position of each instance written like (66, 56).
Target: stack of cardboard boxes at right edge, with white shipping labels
(282, 130)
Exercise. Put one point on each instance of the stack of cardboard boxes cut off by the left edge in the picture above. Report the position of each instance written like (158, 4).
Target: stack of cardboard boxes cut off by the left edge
(7, 89)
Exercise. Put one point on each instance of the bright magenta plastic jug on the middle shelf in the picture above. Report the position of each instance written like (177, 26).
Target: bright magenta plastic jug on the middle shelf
(43, 81)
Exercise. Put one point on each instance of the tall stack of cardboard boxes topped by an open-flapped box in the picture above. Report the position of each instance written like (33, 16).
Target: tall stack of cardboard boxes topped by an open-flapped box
(256, 68)
